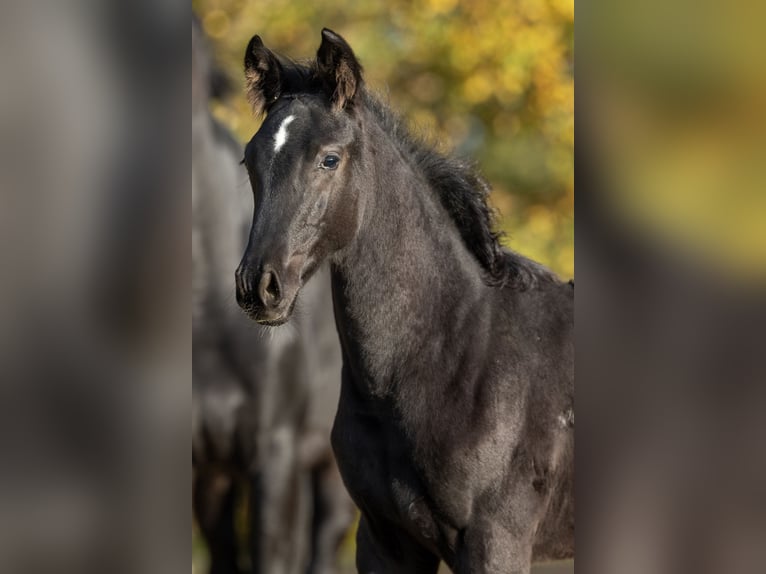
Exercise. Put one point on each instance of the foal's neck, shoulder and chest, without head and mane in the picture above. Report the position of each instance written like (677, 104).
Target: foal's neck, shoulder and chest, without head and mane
(465, 418)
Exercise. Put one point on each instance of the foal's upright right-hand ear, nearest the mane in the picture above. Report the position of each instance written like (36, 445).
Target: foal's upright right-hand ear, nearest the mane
(339, 69)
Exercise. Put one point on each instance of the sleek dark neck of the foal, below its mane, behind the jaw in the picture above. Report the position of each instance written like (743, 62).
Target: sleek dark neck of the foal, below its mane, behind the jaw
(405, 278)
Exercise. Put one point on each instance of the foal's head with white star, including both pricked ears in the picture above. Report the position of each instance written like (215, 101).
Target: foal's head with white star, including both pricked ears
(304, 165)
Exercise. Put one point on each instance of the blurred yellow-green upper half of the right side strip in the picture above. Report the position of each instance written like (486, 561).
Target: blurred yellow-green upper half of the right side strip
(672, 98)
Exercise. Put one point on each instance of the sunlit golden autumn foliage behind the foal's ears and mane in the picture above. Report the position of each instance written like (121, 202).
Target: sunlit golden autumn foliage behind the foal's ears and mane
(489, 80)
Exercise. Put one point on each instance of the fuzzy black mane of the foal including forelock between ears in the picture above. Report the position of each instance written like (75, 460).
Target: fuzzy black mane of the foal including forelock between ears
(461, 190)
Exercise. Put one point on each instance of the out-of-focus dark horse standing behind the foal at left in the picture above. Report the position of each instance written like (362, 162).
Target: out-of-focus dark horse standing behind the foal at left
(263, 404)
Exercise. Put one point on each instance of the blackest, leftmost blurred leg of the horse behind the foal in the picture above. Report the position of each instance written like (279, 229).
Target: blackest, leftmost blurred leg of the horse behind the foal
(214, 501)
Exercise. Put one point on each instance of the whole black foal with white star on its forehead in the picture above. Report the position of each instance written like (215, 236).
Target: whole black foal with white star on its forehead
(454, 432)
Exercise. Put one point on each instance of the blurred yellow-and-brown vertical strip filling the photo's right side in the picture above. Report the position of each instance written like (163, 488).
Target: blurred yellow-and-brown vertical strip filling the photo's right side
(671, 243)
